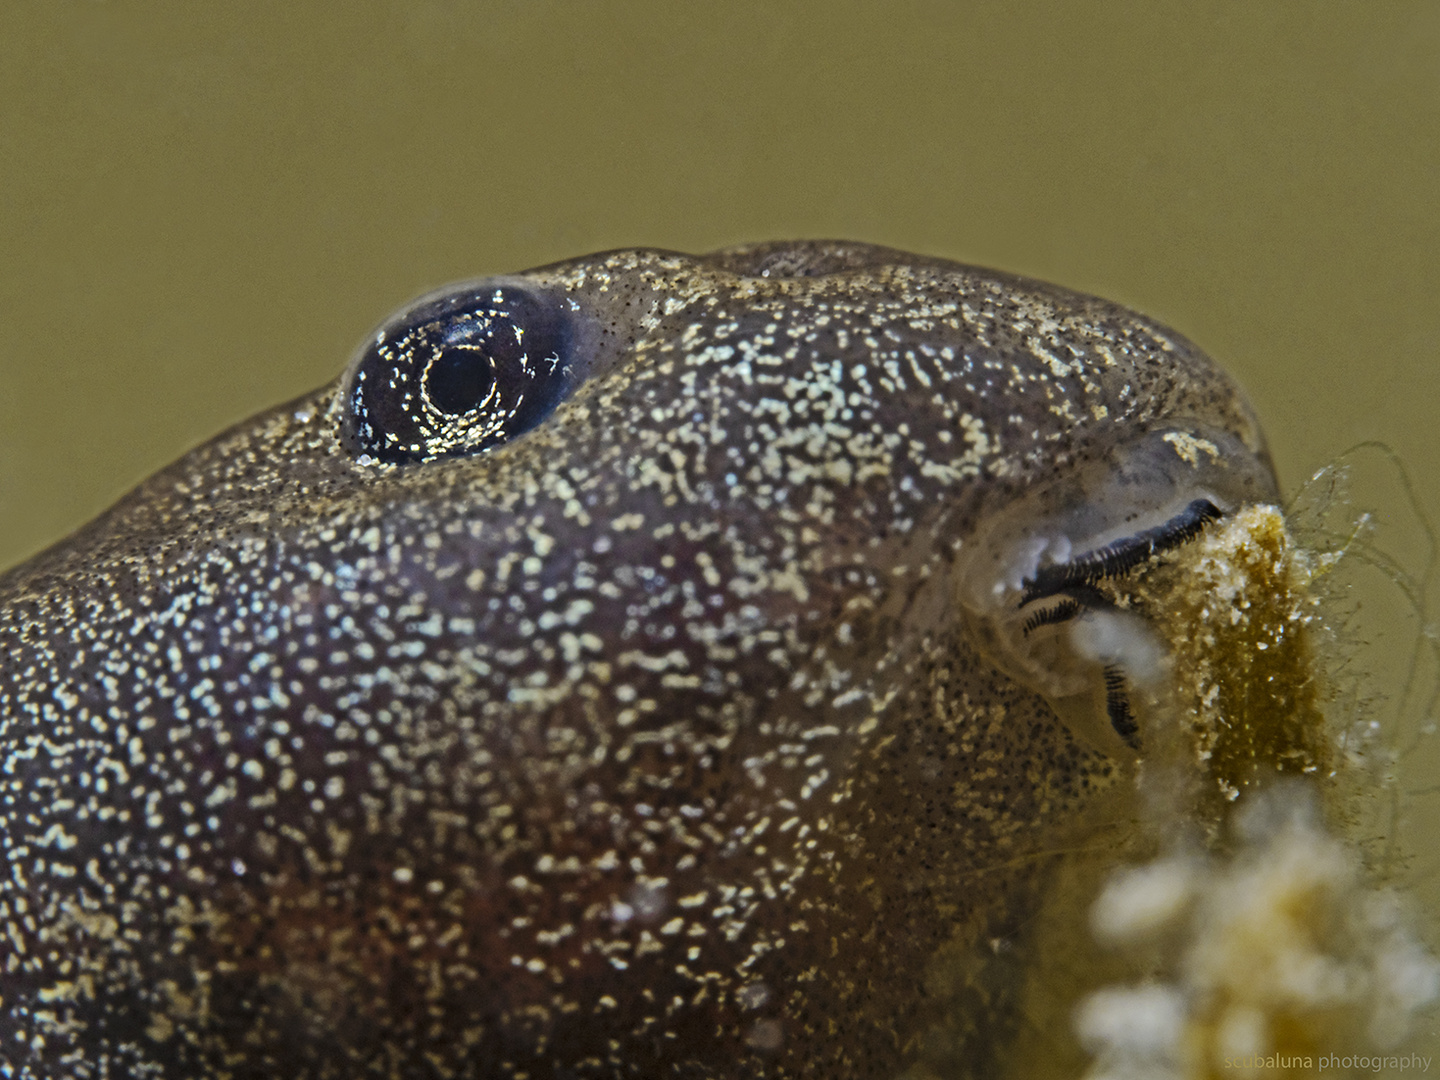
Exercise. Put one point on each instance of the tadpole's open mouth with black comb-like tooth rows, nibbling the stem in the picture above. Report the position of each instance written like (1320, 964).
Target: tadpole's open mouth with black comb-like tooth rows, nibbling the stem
(1046, 582)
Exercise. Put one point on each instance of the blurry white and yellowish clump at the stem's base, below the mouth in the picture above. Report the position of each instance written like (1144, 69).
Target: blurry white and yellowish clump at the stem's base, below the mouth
(1275, 960)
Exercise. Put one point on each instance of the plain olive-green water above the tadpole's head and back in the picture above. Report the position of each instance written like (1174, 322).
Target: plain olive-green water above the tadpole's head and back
(205, 207)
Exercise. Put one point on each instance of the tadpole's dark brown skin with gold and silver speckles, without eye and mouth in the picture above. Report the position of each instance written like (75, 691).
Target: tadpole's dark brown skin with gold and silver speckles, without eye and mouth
(650, 744)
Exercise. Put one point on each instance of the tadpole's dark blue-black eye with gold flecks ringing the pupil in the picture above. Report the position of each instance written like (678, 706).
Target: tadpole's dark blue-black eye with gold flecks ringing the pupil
(459, 374)
